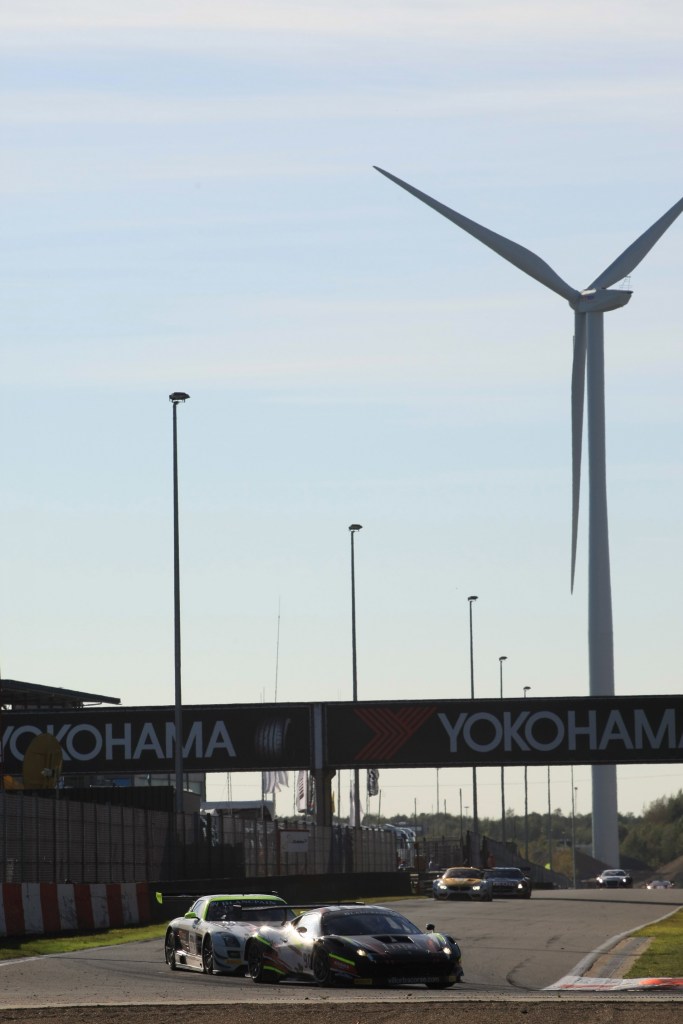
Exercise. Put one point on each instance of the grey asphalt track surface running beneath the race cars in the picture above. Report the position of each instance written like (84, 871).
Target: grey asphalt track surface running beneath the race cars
(513, 951)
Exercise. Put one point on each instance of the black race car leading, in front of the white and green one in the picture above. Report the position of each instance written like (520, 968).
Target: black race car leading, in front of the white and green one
(362, 946)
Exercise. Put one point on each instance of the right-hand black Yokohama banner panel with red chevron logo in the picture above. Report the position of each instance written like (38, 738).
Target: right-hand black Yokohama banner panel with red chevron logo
(432, 734)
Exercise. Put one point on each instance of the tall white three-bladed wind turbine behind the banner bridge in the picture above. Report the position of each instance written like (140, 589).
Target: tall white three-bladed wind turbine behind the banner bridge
(587, 373)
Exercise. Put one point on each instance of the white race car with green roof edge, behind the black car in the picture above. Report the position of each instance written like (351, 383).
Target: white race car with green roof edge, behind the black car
(212, 935)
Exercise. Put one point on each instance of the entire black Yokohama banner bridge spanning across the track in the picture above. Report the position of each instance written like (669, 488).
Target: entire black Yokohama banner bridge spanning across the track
(318, 737)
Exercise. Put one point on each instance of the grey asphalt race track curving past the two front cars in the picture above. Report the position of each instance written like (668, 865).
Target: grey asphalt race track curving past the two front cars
(513, 950)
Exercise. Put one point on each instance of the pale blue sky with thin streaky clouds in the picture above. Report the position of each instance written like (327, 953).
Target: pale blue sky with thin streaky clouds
(190, 204)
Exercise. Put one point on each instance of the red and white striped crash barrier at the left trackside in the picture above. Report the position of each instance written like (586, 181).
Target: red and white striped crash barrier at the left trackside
(45, 909)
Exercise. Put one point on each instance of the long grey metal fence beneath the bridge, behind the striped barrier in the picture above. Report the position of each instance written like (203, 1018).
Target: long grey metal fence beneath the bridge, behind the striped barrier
(52, 839)
